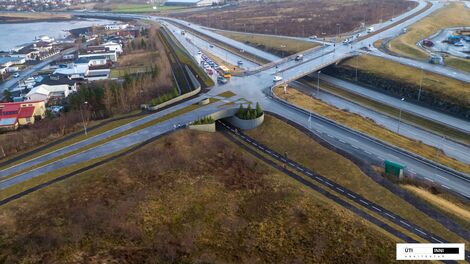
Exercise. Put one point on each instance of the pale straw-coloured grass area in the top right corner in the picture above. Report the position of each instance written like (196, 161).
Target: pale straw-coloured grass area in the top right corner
(454, 14)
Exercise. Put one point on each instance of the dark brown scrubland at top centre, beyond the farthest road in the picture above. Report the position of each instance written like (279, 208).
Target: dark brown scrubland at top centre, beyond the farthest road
(298, 18)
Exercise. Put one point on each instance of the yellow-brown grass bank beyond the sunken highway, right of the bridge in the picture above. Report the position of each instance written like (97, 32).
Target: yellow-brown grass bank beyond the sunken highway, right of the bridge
(443, 87)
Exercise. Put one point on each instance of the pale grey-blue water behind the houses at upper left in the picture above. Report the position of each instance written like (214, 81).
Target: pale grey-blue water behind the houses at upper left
(12, 35)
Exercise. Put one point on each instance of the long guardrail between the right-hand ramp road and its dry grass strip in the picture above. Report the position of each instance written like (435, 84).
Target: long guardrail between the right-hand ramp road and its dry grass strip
(395, 149)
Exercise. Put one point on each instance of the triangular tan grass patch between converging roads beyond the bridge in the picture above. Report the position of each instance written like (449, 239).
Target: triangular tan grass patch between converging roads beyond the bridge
(280, 46)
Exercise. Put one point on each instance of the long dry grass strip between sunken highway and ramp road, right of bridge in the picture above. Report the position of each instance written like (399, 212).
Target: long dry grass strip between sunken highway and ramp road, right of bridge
(369, 127)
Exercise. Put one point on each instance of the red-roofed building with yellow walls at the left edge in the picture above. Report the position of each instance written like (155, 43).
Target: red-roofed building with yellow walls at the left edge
(13, 115)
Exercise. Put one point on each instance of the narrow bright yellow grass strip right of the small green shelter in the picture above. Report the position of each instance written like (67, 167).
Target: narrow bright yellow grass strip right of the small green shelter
(458, 209)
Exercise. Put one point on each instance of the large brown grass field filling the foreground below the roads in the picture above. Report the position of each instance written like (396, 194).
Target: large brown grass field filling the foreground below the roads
(227, 207)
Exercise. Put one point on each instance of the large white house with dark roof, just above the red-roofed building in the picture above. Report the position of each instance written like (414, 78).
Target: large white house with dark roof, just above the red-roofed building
(52, 88)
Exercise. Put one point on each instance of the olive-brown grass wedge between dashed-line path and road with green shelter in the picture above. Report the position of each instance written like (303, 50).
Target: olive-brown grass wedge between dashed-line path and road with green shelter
(282, 138)
